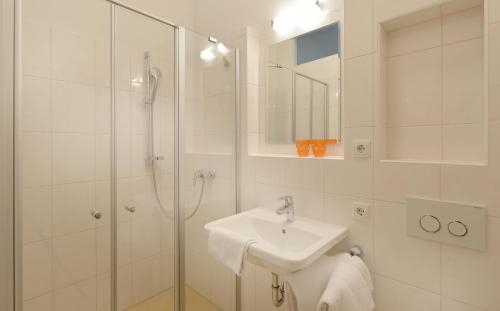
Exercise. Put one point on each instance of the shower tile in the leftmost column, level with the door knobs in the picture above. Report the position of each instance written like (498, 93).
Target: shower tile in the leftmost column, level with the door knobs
(37, 214)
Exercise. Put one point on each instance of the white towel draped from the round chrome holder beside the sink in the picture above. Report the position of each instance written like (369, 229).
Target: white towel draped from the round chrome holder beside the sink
(349, 288)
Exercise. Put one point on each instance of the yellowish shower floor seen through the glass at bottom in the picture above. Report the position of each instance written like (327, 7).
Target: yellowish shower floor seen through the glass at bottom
(164, 301)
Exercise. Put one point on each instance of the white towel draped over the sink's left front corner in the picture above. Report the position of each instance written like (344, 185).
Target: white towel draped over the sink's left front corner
(229, 248)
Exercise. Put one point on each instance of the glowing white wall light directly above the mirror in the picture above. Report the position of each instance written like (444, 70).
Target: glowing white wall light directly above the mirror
(304, 13)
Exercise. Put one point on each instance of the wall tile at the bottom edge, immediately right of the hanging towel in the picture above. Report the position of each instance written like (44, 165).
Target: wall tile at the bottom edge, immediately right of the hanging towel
(391, 295)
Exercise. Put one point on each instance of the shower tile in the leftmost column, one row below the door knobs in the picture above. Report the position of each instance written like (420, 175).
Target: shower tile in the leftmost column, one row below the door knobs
(37, 269)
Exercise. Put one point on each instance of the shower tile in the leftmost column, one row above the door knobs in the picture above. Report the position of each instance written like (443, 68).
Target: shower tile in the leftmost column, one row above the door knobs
(37, 154)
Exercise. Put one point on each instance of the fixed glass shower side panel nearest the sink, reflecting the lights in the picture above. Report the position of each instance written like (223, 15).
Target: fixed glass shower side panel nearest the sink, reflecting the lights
(208, 130)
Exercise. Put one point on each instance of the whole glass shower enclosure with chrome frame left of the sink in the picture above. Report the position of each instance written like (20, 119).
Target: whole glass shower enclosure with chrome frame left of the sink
(127, 144)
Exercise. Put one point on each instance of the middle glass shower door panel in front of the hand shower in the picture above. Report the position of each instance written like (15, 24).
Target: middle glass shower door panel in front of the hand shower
(144, 61)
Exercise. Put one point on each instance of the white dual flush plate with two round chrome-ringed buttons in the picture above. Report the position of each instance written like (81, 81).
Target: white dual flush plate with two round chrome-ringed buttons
(451, 223)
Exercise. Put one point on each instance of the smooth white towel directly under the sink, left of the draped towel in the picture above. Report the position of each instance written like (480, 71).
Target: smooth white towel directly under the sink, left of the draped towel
(304, 288)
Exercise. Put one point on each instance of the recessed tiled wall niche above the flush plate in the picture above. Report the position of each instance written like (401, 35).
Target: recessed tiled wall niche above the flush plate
(432, 85)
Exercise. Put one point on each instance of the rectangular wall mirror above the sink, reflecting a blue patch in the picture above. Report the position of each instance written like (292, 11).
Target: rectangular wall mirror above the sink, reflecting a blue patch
(303, 87)
